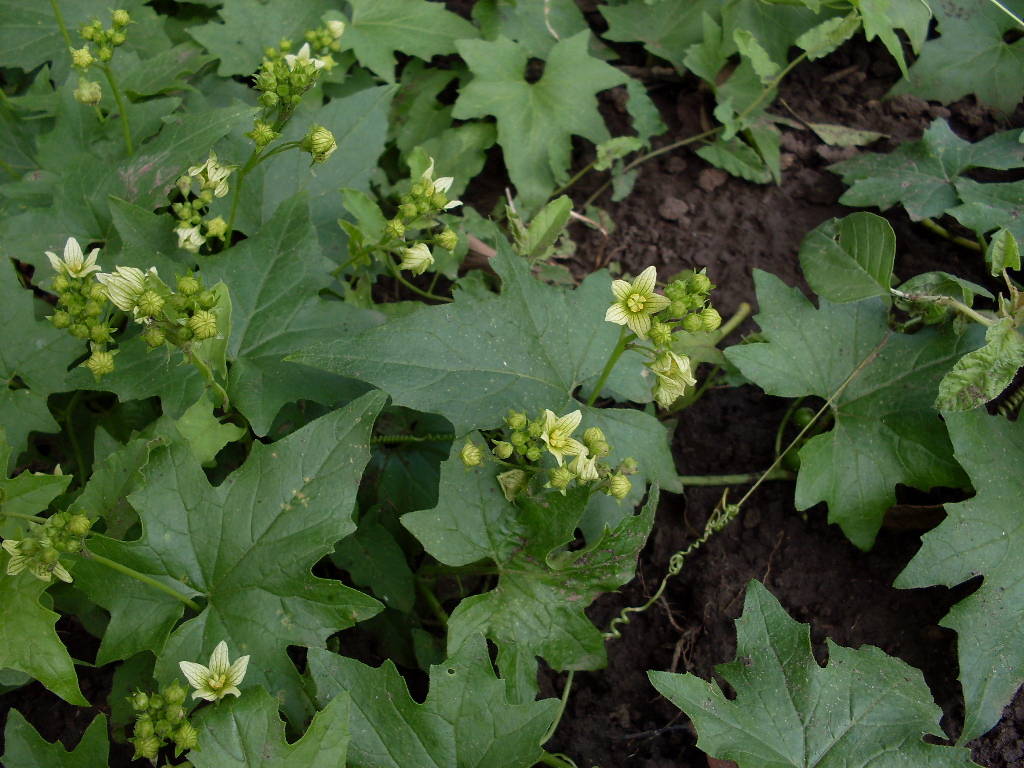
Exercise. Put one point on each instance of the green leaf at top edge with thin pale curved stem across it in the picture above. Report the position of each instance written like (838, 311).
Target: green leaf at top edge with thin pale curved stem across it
(537, 25)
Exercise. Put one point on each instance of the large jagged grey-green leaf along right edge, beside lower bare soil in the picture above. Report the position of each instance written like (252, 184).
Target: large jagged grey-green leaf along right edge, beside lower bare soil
(983, 537)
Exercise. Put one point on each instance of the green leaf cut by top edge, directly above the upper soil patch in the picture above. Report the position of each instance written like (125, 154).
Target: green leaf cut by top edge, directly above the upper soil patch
(667, 29)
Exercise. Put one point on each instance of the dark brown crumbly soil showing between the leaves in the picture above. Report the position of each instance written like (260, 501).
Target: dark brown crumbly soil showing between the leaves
(684, 215)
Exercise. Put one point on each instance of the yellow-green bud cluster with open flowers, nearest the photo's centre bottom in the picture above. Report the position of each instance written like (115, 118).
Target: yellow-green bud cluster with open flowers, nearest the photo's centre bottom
(523, 445)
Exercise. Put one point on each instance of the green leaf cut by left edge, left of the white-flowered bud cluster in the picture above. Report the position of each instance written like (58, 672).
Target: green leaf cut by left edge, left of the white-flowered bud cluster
(34, 357)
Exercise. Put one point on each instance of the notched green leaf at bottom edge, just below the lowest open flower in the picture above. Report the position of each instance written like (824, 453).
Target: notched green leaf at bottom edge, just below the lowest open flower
(248, 733)
